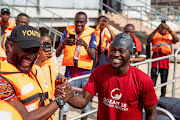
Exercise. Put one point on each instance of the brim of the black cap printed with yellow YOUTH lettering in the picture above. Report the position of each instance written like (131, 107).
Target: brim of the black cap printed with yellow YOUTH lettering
(29, 44)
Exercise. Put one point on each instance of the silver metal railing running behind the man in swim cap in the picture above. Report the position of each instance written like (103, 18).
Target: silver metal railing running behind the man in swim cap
(163, 111)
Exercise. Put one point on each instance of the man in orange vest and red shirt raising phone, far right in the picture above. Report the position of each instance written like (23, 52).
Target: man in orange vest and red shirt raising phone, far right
(162, 38)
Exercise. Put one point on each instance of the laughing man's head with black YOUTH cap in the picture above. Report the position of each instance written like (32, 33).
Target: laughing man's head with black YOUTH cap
(23, 47)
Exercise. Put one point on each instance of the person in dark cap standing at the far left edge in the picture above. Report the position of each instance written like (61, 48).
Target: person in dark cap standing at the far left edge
(5, 22)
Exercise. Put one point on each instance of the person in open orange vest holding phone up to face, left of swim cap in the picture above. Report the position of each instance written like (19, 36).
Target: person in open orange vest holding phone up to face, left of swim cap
(104, 36)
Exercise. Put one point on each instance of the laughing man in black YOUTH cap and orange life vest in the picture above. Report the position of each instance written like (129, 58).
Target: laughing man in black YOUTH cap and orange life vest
(21, 82)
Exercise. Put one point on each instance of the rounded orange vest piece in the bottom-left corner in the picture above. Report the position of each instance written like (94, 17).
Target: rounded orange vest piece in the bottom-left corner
(8, 112)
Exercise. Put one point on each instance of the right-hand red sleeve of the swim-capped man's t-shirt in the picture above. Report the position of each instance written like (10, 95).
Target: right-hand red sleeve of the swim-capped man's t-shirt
(148, 96)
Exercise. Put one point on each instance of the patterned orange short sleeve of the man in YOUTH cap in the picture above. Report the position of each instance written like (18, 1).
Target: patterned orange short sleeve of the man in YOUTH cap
(7, 92)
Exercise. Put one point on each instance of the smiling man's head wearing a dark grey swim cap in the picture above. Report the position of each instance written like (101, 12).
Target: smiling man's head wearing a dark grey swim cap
(120, 51)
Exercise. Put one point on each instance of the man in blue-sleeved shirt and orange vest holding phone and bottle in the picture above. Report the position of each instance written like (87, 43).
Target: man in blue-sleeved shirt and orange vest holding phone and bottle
(79, 44)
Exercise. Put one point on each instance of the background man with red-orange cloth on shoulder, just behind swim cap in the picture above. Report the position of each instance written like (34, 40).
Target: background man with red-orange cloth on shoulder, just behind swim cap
(139, 53)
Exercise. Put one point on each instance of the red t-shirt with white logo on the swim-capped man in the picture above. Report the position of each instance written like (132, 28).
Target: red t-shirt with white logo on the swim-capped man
(121, 97)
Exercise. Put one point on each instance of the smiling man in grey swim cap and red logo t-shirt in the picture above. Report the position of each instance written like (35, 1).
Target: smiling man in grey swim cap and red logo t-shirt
(123, 90)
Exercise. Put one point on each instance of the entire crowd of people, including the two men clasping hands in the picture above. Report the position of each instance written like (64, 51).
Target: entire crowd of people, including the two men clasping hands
(31, 88)
